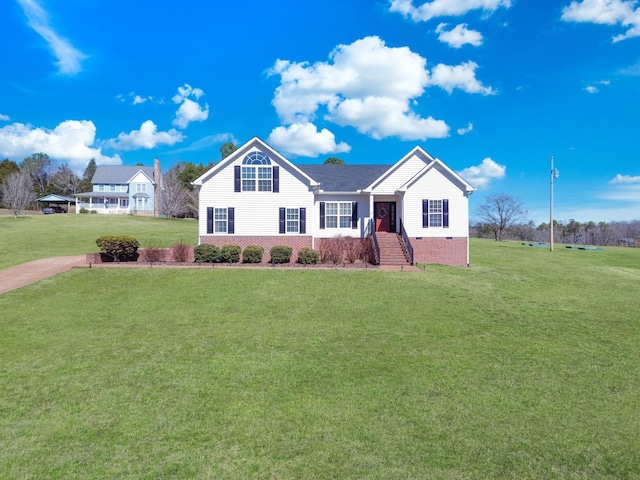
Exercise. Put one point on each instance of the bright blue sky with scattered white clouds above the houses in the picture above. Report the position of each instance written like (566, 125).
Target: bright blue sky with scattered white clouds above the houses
(493, 88)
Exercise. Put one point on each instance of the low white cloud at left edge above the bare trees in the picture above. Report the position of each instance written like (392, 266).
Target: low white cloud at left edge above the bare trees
(72, 141)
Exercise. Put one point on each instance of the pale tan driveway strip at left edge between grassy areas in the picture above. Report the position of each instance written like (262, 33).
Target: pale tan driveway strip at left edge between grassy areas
(15, 277)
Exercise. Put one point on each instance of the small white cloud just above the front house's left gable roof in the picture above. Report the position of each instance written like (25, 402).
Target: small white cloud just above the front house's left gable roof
(305, 140)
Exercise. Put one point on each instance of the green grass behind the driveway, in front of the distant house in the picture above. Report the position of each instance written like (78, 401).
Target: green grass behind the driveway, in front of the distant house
(28, 238)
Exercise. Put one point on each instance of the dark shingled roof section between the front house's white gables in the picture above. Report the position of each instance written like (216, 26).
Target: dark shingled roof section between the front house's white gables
(344, 178)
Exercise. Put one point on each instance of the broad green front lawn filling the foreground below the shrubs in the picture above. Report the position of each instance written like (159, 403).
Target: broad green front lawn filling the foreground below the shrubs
(525, 365)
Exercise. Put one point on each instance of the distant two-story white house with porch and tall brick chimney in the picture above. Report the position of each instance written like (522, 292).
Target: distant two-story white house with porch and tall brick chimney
(121, 189)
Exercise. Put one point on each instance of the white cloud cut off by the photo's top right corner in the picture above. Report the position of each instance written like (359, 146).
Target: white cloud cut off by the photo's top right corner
(606, 12)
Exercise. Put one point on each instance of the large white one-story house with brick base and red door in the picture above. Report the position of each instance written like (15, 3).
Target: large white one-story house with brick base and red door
(255, 196)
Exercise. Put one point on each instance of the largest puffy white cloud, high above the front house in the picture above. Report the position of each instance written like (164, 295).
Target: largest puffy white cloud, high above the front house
(368, 86)
